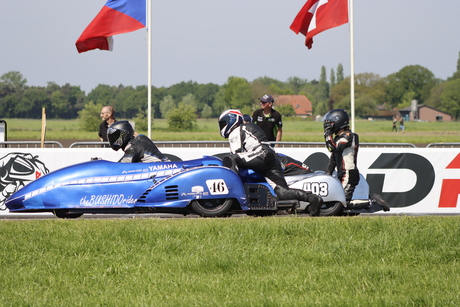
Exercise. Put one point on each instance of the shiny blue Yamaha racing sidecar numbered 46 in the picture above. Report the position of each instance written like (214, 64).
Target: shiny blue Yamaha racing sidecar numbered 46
(201, 186)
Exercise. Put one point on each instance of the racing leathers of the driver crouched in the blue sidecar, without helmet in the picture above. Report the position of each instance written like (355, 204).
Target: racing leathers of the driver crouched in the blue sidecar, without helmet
(142, 149)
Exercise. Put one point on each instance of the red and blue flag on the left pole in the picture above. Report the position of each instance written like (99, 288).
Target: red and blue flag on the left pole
(116, 17)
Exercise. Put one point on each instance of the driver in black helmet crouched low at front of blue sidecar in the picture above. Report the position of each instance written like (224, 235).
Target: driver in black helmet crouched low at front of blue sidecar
(137, 148)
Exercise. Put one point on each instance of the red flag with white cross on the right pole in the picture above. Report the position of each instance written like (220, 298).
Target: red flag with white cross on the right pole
(317, 16)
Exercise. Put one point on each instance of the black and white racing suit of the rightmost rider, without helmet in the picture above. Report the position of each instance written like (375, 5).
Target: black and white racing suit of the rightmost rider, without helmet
(344, 154)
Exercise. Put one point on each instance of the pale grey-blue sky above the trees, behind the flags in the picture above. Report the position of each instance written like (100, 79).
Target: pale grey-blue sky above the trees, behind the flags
(207, 41)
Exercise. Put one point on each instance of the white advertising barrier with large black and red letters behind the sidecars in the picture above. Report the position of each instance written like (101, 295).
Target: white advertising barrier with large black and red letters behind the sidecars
(411, 180)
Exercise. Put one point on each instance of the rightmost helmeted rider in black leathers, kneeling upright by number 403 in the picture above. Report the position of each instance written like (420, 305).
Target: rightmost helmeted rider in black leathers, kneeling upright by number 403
(344, 156)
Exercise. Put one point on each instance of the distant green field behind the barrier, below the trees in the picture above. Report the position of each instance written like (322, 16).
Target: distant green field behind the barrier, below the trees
(295, 130)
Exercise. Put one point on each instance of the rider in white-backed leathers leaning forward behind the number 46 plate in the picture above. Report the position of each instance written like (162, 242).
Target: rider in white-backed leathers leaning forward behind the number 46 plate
(250, 149)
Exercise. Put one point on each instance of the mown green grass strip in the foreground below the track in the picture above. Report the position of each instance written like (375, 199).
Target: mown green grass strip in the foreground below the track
(292, 261)
